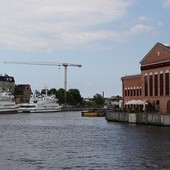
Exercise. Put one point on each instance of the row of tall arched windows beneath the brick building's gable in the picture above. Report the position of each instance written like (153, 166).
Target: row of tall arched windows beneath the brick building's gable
(157, 84)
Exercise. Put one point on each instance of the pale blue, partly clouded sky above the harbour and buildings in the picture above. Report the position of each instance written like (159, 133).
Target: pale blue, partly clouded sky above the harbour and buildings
(107, 37)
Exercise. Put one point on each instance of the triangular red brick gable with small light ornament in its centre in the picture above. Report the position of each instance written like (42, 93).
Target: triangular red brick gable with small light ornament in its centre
(158, 54)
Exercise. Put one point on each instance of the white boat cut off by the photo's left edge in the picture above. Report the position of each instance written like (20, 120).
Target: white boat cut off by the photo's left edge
(7, 104)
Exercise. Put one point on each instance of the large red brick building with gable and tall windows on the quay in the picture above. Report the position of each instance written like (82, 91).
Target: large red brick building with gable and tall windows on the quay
(153, 84)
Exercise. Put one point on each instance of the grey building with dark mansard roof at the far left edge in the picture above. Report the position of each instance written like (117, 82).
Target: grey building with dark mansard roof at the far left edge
(7, 83)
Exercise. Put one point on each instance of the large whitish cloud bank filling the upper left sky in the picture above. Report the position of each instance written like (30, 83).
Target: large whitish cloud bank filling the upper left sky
(43, 24)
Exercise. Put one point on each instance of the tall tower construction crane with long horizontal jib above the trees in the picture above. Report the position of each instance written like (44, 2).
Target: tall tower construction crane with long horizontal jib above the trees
(65, 65)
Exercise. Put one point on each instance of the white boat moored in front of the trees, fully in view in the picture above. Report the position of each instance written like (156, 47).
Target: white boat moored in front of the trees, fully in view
(40, 104)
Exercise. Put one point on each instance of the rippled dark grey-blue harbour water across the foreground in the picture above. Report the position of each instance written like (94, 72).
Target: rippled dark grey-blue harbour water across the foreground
(70, 142)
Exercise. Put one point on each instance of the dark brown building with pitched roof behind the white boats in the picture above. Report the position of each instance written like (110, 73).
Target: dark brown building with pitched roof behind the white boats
(22, 93)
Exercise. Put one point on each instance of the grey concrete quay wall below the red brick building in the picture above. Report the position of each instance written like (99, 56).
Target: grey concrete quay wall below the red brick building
(139, 118)
